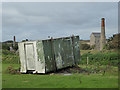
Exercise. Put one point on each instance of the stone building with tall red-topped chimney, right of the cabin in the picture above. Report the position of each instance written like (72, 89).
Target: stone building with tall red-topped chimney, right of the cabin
(98, 40)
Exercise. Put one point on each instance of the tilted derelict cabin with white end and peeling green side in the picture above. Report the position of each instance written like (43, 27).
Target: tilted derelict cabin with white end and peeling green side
(42, 56)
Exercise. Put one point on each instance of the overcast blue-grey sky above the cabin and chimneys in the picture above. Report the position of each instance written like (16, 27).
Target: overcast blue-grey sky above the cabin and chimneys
(36, 21)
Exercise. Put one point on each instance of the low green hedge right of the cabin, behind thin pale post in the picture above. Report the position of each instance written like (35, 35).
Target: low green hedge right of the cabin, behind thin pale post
(100, 58)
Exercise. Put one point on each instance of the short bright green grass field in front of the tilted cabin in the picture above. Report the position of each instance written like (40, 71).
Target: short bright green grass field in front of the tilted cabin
(83, 80)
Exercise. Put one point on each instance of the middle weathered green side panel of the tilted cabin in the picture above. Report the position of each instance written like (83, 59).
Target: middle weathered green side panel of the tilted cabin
(63, 52)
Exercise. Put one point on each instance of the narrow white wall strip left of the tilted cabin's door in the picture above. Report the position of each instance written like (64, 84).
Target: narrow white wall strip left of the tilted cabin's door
(22, 57)
